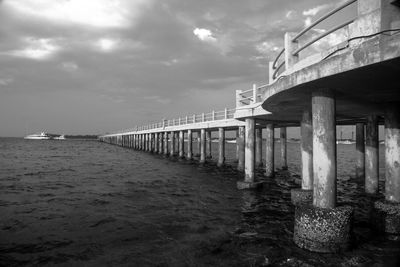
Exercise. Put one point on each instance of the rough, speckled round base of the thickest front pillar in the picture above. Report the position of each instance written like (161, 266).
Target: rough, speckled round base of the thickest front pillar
(323, 230)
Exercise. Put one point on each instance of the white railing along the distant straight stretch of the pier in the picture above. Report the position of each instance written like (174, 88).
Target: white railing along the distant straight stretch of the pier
(191, 119)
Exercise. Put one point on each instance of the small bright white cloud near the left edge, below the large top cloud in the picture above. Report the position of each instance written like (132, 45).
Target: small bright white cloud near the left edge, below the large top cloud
(36, 48)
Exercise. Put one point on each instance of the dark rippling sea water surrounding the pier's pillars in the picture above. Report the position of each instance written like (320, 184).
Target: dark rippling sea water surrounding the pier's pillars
(85, 203)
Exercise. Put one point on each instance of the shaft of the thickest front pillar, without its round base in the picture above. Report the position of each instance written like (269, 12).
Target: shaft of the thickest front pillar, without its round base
(324, 148)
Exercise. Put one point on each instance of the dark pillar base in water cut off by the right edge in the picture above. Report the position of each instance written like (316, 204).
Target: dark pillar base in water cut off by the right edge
(387, 218)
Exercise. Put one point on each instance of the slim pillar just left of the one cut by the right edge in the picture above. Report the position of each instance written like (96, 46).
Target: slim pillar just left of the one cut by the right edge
(372, 155)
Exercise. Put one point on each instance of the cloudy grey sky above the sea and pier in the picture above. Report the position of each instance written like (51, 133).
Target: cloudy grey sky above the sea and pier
(96, 66)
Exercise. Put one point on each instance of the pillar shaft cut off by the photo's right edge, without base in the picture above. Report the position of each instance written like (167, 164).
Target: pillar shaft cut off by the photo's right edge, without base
(392, 153)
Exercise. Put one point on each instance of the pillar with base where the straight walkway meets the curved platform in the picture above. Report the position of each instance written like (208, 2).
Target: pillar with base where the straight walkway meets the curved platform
(249, 169)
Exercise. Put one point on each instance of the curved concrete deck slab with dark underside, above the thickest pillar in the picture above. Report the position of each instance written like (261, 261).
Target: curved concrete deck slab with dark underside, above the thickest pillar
(376, 59)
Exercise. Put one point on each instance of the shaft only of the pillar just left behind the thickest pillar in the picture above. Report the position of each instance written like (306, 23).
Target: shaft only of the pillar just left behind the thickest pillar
(306, 144)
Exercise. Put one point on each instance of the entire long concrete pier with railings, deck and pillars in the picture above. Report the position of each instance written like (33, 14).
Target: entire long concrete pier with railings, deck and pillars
(352, 83)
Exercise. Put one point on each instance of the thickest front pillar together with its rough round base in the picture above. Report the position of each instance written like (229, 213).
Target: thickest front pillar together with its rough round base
(323, 227)
